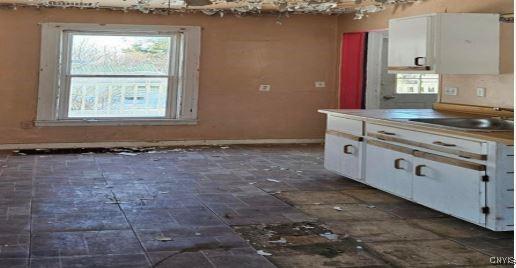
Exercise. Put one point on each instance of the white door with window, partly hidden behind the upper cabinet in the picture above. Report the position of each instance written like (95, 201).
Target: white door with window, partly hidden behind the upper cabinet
(394, 91)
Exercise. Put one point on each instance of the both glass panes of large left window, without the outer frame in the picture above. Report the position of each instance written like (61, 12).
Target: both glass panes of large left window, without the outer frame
(118, 75)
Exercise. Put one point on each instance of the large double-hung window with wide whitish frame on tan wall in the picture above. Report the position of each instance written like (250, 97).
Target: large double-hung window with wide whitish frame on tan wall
(118, 74)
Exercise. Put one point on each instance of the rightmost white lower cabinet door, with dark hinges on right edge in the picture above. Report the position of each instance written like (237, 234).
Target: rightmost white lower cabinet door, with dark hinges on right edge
(451, 189)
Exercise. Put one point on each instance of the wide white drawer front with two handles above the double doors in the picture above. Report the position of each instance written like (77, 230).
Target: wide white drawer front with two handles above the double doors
(457, 146)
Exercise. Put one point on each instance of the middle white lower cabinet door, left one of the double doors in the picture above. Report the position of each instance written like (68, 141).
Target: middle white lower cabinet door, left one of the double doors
(389, 170)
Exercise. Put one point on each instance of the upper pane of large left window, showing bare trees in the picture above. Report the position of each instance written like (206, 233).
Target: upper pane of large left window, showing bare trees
(120, 55)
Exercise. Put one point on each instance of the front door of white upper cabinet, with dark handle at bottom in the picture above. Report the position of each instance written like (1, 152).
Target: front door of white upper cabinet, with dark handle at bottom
(409, 39)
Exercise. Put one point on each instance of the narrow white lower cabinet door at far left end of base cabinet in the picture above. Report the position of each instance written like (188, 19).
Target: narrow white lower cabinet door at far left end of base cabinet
(344, 156)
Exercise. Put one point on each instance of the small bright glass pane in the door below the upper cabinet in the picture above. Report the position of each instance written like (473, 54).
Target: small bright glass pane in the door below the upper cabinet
(417, 83)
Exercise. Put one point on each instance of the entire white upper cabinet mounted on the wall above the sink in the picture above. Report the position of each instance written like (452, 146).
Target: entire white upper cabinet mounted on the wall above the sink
(445, 43)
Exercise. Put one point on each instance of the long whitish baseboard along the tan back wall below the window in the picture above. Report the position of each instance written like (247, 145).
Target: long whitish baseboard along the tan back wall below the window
(66, 145)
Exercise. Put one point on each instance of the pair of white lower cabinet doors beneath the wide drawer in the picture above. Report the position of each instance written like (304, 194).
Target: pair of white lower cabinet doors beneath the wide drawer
(452, 186)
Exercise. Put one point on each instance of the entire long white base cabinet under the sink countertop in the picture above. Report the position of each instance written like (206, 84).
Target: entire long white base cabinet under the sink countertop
(469, 179)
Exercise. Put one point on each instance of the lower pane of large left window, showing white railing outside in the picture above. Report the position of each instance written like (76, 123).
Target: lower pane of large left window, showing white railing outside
(117, 97)
